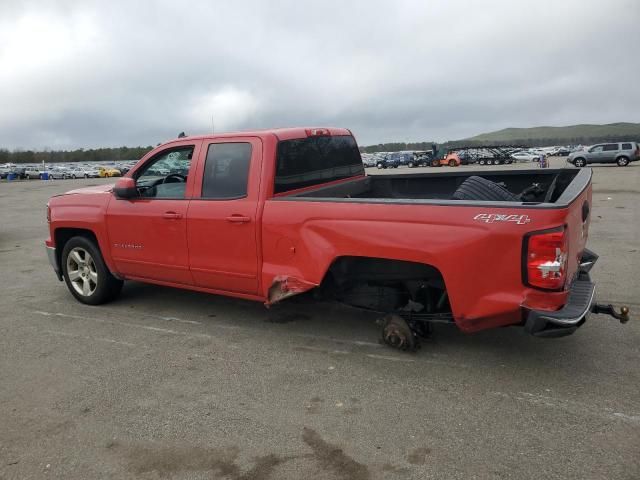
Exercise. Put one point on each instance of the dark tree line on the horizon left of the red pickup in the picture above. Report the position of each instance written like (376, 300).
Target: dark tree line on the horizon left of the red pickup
(70, 156)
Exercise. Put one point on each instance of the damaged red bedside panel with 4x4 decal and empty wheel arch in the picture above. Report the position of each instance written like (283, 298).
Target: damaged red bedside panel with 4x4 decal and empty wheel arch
(480, 262)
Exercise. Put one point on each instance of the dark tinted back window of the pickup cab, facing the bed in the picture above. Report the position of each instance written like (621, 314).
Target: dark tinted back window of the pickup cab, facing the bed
(305, 162)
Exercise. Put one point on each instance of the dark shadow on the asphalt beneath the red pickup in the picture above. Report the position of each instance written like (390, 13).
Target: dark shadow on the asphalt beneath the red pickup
(304, 316)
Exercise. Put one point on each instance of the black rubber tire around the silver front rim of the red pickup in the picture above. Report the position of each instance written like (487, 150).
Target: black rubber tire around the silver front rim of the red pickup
(107, 286)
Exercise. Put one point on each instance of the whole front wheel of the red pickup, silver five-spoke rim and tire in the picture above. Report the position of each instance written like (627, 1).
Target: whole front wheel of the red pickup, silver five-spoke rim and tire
(85, 273)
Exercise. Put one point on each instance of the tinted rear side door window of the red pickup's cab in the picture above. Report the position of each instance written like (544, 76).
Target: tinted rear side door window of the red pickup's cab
(226, 170)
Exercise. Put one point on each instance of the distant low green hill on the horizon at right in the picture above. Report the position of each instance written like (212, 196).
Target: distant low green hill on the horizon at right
(572, 134)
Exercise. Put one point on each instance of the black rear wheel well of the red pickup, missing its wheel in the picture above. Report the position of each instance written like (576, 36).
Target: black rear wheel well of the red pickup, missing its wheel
(385, 284)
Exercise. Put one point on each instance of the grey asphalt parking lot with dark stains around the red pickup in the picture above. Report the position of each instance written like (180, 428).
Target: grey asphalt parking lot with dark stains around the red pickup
(165, 383)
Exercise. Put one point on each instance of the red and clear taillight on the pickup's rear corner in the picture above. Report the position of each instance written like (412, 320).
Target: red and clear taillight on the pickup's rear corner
(545, 262)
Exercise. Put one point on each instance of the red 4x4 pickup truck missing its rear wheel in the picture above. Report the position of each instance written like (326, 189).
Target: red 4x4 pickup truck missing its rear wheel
(269, 214)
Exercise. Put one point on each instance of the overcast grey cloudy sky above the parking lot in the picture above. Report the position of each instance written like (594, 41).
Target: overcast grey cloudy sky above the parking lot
(94, 73)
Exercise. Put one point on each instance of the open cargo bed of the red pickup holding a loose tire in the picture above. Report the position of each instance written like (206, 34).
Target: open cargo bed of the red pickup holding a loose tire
(438, 188)
